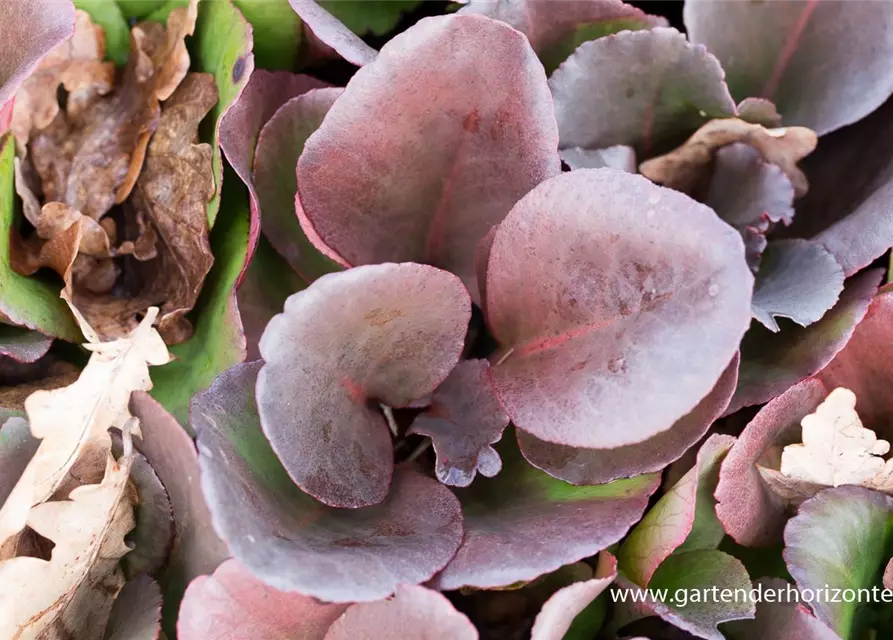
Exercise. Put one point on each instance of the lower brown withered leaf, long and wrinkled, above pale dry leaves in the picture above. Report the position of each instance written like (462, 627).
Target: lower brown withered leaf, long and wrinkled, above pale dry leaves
(172, 193)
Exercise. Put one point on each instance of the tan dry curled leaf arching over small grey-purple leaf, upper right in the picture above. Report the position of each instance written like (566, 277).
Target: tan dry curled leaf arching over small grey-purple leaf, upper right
(684, 167)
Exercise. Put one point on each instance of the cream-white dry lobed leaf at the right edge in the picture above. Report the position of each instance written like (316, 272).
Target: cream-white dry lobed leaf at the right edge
(836, 450)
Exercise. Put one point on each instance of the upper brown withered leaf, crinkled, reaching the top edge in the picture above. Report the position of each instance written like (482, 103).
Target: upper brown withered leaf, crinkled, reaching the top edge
(91, 158)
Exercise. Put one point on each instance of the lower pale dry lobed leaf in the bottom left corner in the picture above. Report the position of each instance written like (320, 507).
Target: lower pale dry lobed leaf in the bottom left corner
(70, 596)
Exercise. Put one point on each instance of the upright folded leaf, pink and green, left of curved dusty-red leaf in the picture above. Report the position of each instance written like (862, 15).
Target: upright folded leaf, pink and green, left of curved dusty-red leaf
(683, 519)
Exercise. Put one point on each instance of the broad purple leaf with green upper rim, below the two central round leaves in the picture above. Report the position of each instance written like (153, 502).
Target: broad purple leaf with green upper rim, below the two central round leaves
(524, 523)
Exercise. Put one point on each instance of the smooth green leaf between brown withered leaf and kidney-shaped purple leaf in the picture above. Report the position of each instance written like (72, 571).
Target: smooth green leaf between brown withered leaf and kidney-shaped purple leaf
(218, 342)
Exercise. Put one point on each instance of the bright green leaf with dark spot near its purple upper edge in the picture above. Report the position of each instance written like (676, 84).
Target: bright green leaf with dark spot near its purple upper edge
(221, 46)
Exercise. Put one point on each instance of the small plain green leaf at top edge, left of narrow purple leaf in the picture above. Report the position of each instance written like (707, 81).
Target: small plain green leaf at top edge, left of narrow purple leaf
(277, 32)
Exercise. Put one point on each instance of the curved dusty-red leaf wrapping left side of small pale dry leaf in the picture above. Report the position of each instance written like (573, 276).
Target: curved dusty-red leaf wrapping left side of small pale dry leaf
(749, 510)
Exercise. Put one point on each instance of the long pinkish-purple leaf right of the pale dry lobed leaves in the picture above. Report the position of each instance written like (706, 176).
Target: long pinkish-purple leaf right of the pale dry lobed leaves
(196, 548)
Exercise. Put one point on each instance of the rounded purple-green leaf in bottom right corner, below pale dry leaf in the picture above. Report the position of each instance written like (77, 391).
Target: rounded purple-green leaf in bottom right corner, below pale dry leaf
(839, 537)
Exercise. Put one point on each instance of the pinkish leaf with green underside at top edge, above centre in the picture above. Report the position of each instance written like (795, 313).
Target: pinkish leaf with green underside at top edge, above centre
(555, 29)
